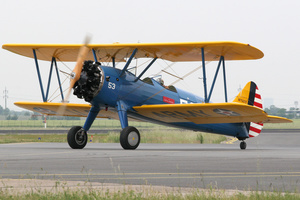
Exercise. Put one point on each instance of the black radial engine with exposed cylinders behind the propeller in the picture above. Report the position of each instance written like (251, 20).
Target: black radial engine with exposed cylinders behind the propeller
(90, 82)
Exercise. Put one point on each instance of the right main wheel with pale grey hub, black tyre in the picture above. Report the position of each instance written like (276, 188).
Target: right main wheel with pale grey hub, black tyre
(130, 138)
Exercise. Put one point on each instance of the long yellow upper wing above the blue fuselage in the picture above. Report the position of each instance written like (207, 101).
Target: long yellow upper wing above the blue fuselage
(175, 52)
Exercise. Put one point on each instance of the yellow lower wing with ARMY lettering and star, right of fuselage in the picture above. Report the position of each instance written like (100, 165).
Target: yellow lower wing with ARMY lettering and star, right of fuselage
(208, 113)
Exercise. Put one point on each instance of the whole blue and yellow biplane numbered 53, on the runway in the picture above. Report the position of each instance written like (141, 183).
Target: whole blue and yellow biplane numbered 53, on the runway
(115, 92)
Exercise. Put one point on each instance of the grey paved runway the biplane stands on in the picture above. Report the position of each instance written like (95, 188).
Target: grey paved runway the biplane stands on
(270, 162)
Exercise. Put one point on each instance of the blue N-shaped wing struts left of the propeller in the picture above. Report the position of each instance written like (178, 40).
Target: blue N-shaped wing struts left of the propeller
(53, 62)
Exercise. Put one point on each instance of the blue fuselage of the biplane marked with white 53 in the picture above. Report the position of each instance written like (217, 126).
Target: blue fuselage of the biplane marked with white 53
(132, 92)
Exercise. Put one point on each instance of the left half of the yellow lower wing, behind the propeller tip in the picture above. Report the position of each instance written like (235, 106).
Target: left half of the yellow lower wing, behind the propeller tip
(70, 109)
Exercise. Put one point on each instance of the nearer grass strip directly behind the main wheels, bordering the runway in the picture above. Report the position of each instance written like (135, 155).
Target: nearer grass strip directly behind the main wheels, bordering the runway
(154, 136)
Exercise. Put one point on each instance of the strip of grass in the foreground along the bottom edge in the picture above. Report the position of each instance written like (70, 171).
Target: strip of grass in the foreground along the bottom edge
(133, 195)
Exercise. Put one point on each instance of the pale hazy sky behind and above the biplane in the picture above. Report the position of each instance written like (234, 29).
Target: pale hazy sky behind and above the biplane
(273, 26)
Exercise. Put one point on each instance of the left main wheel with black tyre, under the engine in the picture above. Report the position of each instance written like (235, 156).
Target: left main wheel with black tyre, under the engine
(77, 137)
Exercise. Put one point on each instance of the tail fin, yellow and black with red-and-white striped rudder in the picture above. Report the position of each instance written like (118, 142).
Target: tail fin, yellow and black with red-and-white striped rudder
(250, 95)
